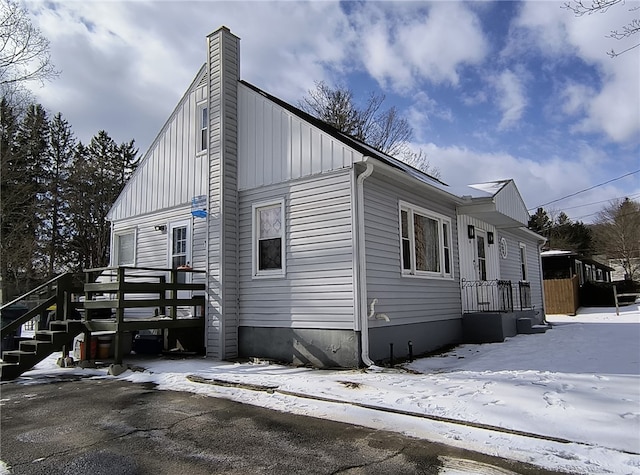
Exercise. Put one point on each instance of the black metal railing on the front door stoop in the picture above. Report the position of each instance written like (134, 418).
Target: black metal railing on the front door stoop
(494, 296)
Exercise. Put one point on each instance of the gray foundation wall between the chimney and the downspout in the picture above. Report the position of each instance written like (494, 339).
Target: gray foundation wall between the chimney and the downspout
(314, 347)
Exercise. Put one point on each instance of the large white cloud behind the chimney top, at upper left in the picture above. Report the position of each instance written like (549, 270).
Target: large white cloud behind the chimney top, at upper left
(126, 64)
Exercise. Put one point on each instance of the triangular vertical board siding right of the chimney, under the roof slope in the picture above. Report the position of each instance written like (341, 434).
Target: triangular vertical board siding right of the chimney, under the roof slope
(275, 146)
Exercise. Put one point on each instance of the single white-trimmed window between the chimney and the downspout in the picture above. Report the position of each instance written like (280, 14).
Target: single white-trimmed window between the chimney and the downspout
(268, 239)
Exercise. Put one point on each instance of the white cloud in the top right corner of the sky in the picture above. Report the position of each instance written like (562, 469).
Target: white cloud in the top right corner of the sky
(610, 104)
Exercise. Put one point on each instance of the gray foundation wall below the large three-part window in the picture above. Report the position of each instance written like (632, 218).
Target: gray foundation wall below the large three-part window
(424, 337)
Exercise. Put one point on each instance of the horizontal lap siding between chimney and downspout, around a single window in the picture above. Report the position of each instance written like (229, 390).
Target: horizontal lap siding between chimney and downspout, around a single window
(317, 291)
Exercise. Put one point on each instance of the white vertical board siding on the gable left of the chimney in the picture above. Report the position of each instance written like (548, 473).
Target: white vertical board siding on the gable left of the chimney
(166, 176)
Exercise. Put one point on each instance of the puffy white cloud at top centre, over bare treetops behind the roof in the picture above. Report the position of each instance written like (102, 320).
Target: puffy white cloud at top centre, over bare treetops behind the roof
(403, 47)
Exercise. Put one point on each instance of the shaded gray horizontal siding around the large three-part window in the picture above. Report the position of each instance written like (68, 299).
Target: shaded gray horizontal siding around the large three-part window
(405, 300)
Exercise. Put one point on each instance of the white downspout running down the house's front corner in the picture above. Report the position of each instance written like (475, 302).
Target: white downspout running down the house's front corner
(362, 266)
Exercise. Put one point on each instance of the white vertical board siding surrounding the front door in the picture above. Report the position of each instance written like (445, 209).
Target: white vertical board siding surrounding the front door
(467, 249)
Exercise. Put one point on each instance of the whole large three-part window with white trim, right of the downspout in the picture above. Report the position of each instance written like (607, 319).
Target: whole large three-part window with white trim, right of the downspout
(425, 242)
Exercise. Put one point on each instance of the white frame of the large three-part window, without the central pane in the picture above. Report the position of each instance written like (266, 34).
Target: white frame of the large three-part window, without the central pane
(442, 220)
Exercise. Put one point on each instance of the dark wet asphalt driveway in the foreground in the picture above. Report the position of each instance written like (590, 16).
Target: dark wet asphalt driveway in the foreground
(107, 426)
